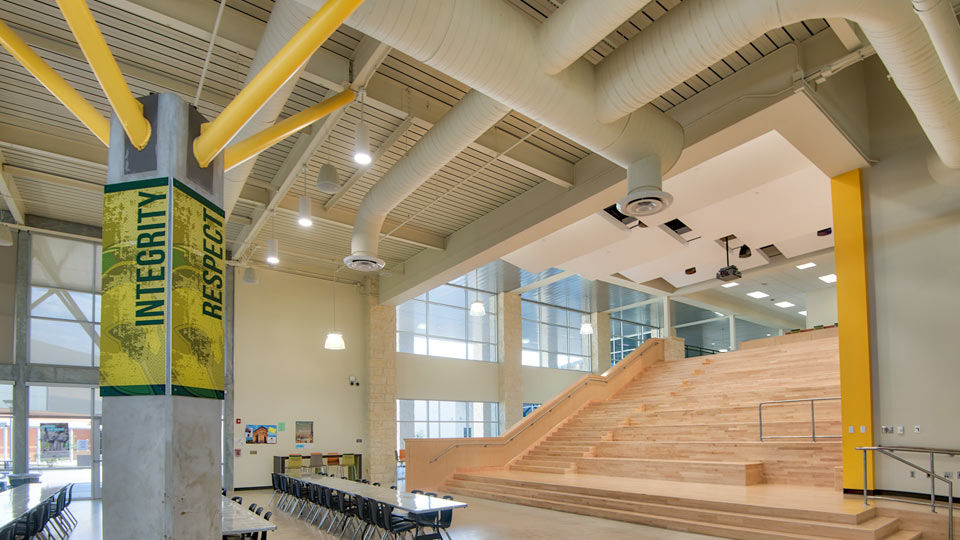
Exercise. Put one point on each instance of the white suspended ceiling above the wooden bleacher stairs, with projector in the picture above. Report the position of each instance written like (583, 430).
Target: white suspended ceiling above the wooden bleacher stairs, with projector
(763, 192)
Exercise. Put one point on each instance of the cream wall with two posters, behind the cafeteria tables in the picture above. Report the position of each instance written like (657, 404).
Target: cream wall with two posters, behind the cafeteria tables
(283, 374)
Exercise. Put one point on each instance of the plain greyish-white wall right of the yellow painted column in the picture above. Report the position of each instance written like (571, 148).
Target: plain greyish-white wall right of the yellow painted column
(913, 245)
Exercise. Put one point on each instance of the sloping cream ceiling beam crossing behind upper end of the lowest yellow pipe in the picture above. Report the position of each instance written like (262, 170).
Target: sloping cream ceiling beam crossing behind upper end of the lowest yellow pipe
(368, 57)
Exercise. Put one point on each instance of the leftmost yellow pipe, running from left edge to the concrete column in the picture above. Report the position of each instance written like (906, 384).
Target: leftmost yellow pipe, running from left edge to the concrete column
(61, 89)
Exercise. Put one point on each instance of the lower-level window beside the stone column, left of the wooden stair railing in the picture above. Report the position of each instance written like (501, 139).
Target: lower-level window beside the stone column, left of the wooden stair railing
(423, 419)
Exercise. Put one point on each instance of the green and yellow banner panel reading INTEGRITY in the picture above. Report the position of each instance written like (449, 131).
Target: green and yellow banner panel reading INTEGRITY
(135, 247)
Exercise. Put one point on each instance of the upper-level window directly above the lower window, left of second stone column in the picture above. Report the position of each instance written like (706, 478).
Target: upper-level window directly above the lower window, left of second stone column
(439, 323)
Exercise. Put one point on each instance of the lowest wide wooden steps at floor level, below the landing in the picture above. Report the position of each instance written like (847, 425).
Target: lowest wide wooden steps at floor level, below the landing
(728, 520)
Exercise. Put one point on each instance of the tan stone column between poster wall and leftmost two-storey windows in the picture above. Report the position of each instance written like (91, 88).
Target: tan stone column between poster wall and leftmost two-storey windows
(380, 461)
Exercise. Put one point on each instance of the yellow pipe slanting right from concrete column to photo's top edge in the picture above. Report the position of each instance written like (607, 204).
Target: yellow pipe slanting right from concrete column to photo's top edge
(281, 67)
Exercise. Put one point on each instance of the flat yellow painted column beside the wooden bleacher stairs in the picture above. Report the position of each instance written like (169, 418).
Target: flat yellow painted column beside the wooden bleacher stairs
(853, 313)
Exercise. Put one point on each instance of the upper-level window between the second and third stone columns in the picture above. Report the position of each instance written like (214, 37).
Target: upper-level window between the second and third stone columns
(551, 337)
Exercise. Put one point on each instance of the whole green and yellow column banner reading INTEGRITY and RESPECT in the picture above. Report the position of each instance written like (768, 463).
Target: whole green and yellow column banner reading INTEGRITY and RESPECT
(163, 275)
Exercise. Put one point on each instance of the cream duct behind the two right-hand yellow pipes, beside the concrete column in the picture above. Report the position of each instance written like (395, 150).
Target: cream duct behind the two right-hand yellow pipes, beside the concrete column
(286, 19)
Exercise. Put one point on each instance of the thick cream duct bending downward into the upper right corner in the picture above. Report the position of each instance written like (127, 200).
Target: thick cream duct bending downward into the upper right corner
(698, 33)
